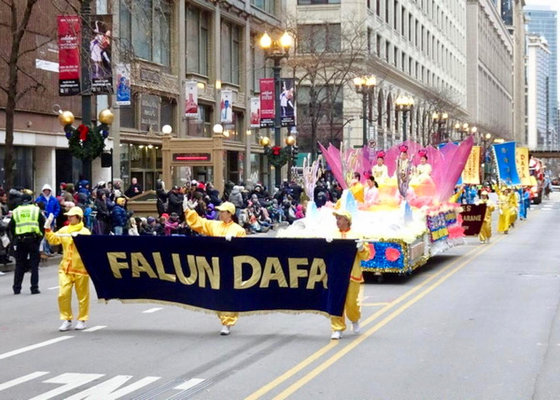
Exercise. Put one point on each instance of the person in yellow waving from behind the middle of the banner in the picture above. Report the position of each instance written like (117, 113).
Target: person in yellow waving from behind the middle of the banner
(225, 227)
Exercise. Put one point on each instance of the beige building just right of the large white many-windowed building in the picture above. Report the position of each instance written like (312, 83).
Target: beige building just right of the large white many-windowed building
(490, 92)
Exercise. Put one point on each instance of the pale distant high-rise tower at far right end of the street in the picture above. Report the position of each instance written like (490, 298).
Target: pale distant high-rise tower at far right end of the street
(538, 59)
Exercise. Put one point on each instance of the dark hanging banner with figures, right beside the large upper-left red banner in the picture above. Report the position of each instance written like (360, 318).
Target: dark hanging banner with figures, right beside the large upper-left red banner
(101, 69)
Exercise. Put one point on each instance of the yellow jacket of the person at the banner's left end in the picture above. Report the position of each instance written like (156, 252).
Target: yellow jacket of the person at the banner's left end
(71, 261)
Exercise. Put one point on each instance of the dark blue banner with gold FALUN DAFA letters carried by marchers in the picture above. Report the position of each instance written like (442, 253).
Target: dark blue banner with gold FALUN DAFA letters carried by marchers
(245, 275)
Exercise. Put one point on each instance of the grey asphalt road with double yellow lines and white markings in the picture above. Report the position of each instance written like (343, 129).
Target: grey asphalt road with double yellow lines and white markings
(480, 322)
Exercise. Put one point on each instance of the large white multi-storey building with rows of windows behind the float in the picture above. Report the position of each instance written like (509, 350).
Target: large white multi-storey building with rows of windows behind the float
(414, 48)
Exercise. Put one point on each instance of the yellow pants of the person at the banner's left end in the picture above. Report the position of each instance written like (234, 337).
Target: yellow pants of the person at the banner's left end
(81, 283)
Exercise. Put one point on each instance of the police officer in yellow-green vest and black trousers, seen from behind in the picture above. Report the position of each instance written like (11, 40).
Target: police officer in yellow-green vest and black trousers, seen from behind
(27, 228)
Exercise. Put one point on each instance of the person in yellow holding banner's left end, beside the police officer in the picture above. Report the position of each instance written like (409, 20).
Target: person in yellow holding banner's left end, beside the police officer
(71, 272)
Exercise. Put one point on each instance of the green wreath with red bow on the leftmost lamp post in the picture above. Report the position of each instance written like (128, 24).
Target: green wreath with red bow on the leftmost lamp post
(86, 143)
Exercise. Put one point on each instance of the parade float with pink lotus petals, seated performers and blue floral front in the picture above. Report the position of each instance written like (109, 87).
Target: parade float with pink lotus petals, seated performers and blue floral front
(408, 218)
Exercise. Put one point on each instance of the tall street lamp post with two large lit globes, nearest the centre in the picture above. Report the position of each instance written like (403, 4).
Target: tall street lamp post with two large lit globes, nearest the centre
(276, 50)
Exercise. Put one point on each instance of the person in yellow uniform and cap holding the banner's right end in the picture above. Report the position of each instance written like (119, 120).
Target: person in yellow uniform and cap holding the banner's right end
(351, 308)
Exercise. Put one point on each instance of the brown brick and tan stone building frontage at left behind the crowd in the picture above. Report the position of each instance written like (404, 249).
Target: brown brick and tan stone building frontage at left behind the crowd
(167, 43)
